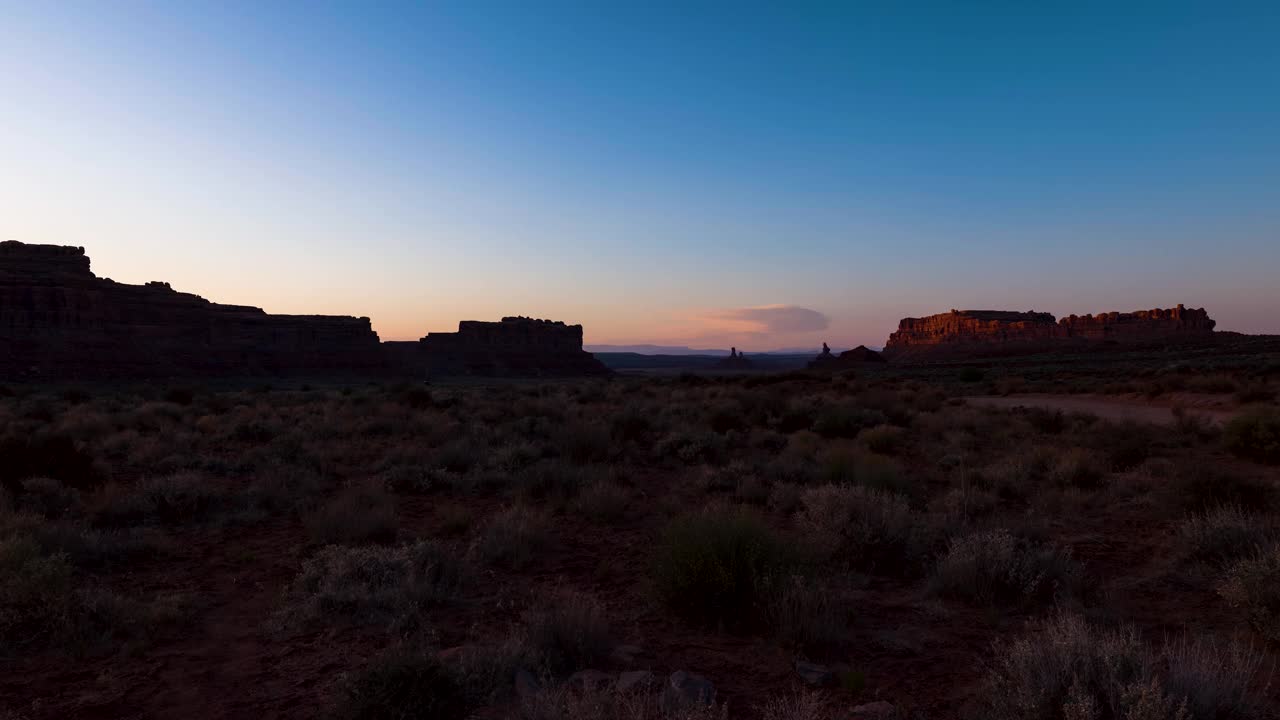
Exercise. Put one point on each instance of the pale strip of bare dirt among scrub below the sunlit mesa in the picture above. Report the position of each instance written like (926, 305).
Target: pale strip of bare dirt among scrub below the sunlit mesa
(1162, 412)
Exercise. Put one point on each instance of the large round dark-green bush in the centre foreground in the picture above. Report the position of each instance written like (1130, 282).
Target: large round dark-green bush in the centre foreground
(715, 567)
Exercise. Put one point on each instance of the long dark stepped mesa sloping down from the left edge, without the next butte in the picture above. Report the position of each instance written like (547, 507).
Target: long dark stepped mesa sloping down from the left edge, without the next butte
(60, 321)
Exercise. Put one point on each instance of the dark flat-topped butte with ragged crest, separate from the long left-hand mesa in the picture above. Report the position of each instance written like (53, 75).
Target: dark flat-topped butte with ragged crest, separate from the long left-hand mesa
(516, 347)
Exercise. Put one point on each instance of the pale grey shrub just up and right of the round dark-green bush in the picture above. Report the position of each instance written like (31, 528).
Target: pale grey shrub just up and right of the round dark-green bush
(867, 528)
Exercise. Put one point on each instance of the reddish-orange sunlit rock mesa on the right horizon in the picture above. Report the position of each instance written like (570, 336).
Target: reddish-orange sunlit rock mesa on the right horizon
(971, 334)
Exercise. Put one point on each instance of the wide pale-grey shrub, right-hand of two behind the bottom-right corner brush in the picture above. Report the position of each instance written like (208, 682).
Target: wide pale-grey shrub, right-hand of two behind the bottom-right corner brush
(994, 567)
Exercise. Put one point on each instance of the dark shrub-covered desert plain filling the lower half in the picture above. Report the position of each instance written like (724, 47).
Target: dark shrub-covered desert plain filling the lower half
(804, 545)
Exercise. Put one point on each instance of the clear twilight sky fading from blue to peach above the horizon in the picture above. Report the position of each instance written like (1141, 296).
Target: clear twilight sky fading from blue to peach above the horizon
(676, 174)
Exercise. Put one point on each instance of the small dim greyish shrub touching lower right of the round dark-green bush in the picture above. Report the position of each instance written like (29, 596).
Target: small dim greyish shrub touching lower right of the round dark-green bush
(803, 613)
